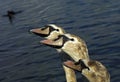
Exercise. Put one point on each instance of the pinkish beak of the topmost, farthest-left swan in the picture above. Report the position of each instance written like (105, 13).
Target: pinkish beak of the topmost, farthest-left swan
(43, 32)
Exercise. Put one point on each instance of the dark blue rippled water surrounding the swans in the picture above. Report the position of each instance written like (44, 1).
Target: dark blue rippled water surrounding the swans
(24, 59)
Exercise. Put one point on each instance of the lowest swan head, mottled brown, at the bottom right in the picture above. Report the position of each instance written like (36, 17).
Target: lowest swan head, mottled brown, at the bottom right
(93, 70)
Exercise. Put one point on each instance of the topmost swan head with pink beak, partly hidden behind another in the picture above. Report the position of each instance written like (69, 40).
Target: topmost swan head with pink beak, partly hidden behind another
(50, 31)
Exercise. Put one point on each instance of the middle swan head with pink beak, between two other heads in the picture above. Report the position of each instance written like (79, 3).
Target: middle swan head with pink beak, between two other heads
(71, 44)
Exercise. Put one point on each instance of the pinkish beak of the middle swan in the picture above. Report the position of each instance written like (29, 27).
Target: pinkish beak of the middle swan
(53, 43)
